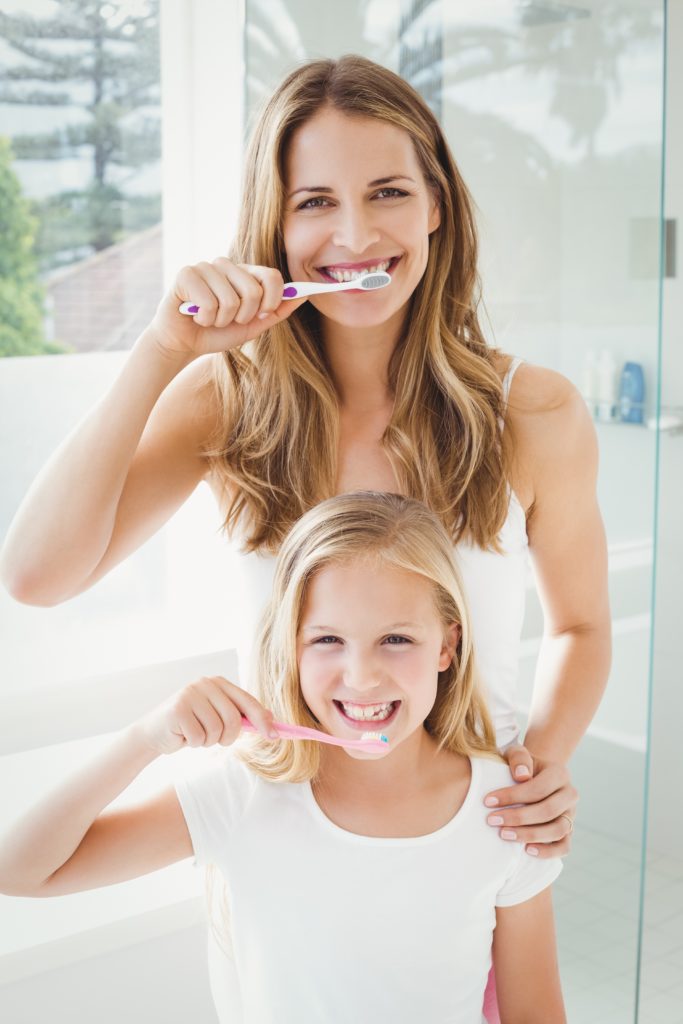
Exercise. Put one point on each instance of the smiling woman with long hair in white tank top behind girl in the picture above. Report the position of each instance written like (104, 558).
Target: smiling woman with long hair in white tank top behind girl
(280, 405)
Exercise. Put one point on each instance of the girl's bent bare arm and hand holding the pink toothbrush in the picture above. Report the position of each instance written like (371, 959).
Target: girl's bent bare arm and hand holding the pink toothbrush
(65, 844)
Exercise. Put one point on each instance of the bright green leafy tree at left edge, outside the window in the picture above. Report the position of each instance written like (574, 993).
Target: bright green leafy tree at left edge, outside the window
(21, 292)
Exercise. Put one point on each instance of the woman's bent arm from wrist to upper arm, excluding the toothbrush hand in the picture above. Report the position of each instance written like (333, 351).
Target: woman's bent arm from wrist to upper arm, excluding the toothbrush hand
(114, 482)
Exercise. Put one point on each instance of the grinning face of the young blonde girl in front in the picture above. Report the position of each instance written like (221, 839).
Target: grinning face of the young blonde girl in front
(371, 637)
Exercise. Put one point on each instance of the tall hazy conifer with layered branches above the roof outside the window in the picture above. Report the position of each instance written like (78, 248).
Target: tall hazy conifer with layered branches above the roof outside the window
(115, 55)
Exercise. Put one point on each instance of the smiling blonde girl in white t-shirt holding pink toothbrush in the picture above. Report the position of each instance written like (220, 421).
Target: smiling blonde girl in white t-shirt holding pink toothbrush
(360, 886)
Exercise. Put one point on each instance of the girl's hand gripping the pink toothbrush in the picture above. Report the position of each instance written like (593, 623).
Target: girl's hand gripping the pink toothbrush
(204, 713)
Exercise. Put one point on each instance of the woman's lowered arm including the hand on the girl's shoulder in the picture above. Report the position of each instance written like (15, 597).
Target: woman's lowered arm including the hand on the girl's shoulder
(558, 456)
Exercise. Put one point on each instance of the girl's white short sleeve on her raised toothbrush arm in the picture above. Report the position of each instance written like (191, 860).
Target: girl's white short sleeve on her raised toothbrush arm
(214, 791)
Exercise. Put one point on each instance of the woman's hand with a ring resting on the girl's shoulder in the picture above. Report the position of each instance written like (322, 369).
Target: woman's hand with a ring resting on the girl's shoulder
(547, 795)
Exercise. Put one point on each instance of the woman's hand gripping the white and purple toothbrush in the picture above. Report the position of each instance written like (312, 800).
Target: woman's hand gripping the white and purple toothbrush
(231, 297)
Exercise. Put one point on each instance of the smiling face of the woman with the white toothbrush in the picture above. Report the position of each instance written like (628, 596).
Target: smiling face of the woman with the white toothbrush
(343, 216)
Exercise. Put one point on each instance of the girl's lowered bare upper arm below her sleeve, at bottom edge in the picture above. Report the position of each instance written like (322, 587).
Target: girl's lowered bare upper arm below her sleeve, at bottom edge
(528, 978)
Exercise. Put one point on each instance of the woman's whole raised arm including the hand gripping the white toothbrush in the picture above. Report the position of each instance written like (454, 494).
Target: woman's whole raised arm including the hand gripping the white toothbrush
(138, 456)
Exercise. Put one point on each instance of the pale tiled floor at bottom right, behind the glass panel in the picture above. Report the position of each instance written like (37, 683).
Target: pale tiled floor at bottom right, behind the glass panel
(596, 902)
